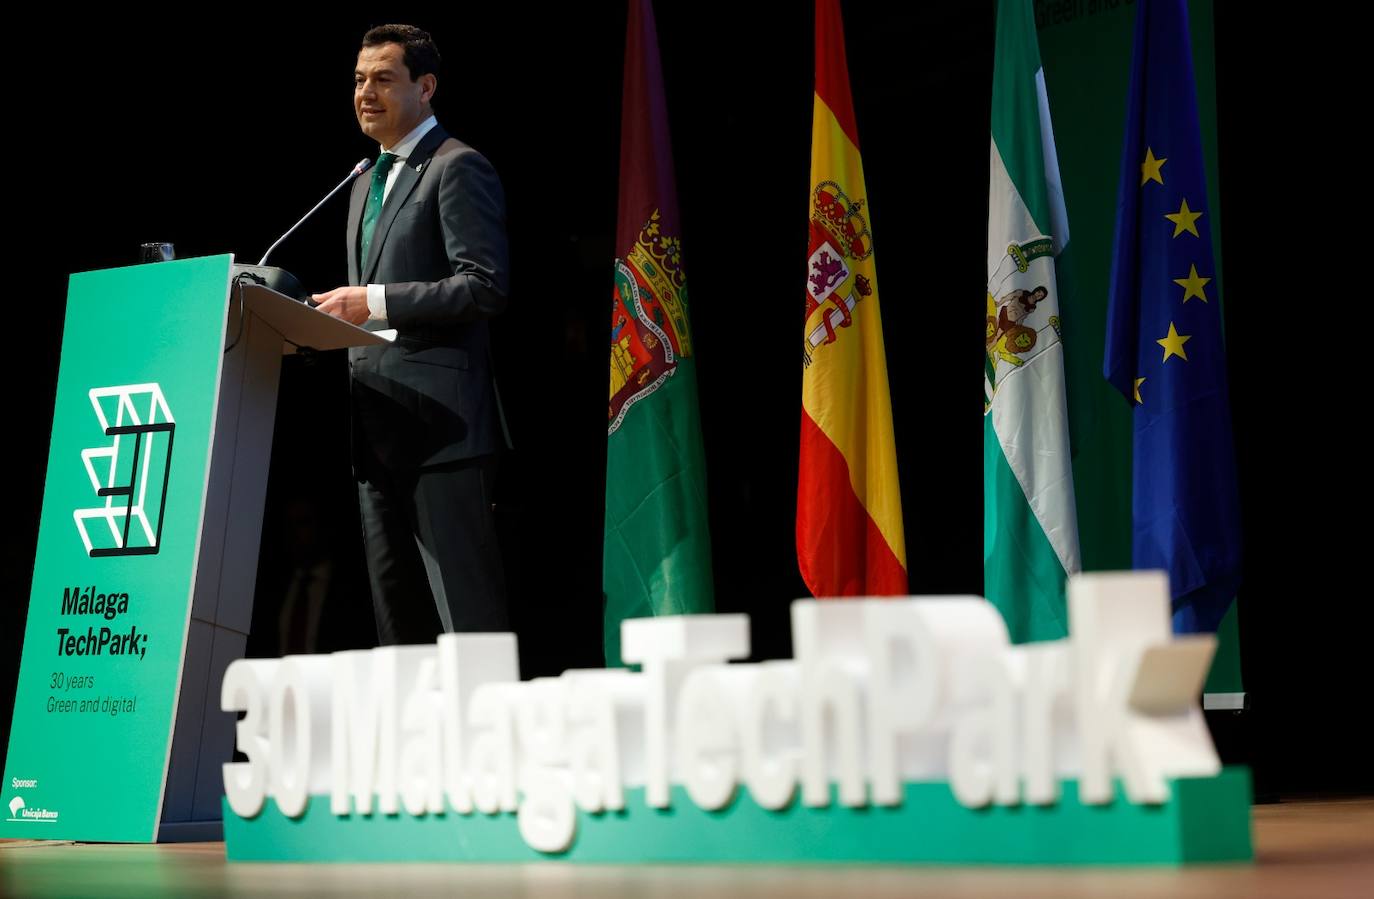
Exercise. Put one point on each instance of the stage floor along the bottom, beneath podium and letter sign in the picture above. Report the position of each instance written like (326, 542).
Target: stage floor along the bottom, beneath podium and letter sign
(1303, 849)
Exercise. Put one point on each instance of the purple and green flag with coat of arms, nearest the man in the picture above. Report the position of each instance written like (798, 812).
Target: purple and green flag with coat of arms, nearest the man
(657, 555)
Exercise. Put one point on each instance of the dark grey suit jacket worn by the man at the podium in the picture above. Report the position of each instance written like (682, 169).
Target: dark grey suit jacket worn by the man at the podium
(440, 249)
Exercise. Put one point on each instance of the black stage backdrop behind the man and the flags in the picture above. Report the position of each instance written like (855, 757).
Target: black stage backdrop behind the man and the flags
(218, 135)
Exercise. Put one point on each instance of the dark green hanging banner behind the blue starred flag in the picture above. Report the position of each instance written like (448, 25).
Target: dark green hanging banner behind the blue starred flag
(1086, 50)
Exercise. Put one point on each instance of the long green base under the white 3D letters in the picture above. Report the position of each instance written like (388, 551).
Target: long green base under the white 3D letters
(1207, 820)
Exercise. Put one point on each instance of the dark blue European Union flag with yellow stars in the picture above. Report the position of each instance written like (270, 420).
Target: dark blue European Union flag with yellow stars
(1164, 350)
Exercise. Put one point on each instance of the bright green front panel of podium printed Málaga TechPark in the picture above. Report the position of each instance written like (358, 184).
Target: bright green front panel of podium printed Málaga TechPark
(119, 542)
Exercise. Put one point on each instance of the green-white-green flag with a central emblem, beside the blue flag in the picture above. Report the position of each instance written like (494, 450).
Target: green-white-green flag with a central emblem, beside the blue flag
(1031, 526)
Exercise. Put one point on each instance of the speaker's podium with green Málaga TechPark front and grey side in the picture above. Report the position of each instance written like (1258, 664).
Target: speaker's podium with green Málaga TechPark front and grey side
(148, 549)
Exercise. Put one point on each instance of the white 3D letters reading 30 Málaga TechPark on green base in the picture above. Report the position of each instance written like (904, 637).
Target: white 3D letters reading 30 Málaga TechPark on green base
(881, 693)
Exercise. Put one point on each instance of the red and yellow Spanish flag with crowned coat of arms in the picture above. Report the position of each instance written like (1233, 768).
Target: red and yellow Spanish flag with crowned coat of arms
(850, 540)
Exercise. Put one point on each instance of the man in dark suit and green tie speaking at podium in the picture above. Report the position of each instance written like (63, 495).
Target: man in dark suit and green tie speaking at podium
(428, 258)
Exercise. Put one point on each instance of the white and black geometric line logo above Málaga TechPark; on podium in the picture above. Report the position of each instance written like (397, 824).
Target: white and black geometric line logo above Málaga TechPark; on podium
(131, 474)
